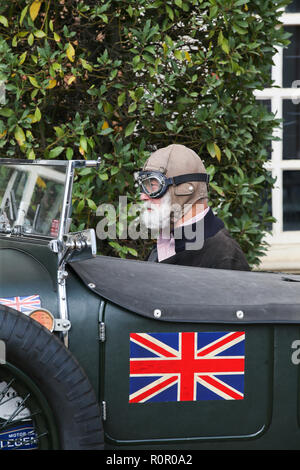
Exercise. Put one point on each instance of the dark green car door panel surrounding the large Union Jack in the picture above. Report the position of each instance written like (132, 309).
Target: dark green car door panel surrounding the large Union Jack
(184, 420)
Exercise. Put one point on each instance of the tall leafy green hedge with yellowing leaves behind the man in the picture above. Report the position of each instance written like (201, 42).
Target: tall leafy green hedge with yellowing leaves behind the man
(118, 79)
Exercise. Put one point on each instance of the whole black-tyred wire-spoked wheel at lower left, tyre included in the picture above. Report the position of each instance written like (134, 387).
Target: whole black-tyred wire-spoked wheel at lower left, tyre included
(46, 399)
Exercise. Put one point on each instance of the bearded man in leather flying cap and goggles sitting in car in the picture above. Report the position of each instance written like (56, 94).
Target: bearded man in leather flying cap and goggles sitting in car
(174, 191)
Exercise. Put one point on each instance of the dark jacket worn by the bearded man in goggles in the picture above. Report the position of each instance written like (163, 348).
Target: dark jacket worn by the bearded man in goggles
(219, 250)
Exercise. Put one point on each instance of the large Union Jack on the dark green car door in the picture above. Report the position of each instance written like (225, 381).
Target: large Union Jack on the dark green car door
(186, 366)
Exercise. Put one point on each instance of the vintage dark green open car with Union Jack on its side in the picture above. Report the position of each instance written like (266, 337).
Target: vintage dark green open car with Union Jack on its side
(99, 352)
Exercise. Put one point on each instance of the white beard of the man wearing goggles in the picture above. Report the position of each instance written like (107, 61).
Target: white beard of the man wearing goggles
(159, 217)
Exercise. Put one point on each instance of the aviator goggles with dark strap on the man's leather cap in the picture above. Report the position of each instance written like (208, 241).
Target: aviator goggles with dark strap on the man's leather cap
(155, 183)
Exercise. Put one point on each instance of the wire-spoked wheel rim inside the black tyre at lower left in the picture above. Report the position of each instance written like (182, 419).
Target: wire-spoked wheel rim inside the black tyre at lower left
(26, 419)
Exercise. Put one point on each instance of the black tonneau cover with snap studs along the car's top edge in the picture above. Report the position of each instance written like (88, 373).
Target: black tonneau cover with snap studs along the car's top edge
(190, 294)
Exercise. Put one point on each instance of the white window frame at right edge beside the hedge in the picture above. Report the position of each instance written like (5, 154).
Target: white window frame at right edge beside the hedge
(277, 165)
